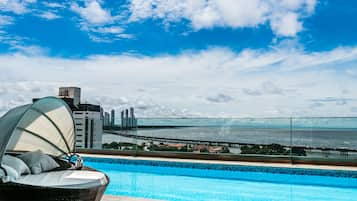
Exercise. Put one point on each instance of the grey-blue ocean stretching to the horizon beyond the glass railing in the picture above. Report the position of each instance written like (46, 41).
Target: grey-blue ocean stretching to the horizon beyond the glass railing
(329, 132)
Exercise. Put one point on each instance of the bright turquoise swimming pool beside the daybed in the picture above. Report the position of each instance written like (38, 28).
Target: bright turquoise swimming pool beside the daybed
(207, 182)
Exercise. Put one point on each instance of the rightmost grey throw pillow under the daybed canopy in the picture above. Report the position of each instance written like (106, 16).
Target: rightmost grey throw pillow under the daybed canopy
(38, 162)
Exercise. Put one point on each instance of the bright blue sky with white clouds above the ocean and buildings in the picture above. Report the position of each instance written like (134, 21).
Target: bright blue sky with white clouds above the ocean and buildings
(233, 58)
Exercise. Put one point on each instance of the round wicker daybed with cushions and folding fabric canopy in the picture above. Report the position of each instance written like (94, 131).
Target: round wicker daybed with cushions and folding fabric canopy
(37, 136)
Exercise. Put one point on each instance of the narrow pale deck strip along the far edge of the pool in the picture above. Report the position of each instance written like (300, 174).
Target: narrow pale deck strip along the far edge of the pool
(265, 164)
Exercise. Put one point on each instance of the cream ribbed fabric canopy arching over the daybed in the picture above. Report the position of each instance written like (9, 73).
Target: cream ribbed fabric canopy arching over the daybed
(45, 125)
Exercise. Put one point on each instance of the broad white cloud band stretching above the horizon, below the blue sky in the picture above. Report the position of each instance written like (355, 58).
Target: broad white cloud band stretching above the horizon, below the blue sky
(250, 83)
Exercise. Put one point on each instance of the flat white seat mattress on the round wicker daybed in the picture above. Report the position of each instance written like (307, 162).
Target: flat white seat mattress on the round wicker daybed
(69, 179)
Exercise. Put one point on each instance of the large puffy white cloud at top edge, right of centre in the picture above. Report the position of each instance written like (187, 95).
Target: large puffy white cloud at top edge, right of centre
(284, 16)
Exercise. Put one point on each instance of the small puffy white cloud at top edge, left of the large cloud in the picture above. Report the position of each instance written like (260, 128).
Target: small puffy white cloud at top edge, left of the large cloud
(93, 12)
